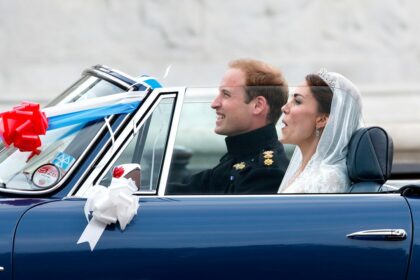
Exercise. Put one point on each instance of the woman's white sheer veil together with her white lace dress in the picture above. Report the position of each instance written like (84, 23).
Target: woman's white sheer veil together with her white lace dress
(326, 172)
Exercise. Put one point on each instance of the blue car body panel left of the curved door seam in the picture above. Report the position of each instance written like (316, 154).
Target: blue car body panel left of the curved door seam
(11, 210)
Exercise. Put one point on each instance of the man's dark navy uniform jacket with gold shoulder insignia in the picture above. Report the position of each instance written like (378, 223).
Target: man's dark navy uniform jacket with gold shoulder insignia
(255, 163)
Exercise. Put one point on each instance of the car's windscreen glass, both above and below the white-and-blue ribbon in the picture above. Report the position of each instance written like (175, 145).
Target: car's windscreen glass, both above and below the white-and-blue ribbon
(61, 147)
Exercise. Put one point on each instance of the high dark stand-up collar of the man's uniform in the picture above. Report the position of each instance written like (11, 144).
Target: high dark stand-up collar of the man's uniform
(251, 142)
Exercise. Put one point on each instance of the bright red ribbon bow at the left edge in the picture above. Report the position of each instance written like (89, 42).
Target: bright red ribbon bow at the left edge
(22, 127)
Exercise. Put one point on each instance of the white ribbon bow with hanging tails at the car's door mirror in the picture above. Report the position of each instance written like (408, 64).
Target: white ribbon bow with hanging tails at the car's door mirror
(109, 205)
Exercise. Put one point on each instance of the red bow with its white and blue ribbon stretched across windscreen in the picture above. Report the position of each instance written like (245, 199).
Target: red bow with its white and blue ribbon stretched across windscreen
(23, 125)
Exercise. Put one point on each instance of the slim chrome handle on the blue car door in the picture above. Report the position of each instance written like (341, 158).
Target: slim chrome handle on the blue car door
(379, 234)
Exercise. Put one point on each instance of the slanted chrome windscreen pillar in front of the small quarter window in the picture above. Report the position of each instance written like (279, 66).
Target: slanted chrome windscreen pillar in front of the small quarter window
(109, 157)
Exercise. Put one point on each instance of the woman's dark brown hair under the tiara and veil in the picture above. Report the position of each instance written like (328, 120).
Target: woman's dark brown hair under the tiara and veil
(321, 91)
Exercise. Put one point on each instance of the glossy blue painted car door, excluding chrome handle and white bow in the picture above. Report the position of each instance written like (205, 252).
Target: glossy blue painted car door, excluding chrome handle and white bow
(267, 237)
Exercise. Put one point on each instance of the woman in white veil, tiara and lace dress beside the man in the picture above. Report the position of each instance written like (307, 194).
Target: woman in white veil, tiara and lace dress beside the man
(320, 118)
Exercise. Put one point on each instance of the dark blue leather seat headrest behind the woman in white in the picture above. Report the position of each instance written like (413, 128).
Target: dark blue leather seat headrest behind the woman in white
(369, 159)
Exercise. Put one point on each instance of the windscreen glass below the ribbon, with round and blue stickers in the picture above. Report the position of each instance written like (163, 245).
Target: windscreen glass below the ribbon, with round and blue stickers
(60, 149)
